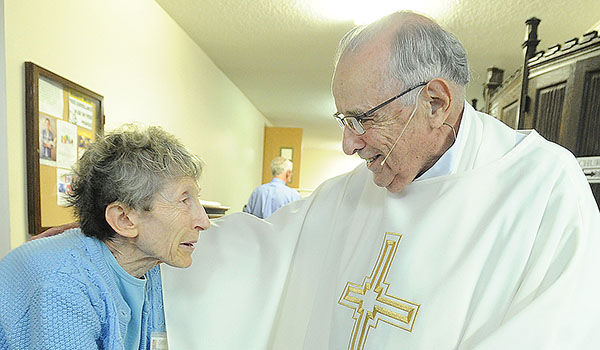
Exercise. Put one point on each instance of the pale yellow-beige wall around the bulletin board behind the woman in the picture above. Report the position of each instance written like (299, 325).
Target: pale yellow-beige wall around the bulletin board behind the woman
(148, 71)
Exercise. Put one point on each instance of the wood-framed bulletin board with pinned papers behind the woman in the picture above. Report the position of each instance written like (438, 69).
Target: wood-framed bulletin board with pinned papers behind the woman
(62, 119)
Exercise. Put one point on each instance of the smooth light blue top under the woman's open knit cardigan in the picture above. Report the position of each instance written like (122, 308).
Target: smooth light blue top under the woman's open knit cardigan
(133, 291)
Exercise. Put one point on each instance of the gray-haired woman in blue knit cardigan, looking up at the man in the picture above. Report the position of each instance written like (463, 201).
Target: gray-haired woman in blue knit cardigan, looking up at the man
(135, 193)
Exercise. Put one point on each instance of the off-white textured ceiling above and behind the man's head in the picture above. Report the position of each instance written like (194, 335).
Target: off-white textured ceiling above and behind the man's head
(280, 52)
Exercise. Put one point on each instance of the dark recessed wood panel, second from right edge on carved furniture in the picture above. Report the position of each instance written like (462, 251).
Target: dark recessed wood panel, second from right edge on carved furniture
(548, 112)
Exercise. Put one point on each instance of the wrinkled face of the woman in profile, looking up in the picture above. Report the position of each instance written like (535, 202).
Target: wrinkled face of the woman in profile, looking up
(170, 230)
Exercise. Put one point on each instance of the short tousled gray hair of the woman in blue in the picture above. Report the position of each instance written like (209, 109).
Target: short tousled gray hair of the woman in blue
(129, 165)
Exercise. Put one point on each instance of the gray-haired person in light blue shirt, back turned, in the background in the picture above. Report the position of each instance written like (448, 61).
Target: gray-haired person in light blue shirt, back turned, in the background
(269, 197)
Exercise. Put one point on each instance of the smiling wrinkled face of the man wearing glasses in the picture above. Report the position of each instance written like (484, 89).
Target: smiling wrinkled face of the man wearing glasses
(357, 88)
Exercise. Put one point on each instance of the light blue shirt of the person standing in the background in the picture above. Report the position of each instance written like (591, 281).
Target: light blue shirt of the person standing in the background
(269, 197)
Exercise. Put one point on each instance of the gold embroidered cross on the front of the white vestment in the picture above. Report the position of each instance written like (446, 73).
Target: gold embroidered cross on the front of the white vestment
(372, 304)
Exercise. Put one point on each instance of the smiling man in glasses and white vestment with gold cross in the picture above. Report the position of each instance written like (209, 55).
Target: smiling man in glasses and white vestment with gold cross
(457, 232)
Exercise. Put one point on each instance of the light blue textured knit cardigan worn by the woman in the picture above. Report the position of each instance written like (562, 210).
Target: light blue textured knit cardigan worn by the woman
(59, 293)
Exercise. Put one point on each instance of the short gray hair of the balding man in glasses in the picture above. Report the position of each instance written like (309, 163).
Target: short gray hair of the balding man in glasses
(421, 50)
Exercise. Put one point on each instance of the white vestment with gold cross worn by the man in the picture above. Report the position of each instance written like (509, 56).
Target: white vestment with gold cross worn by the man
(502, 253)
